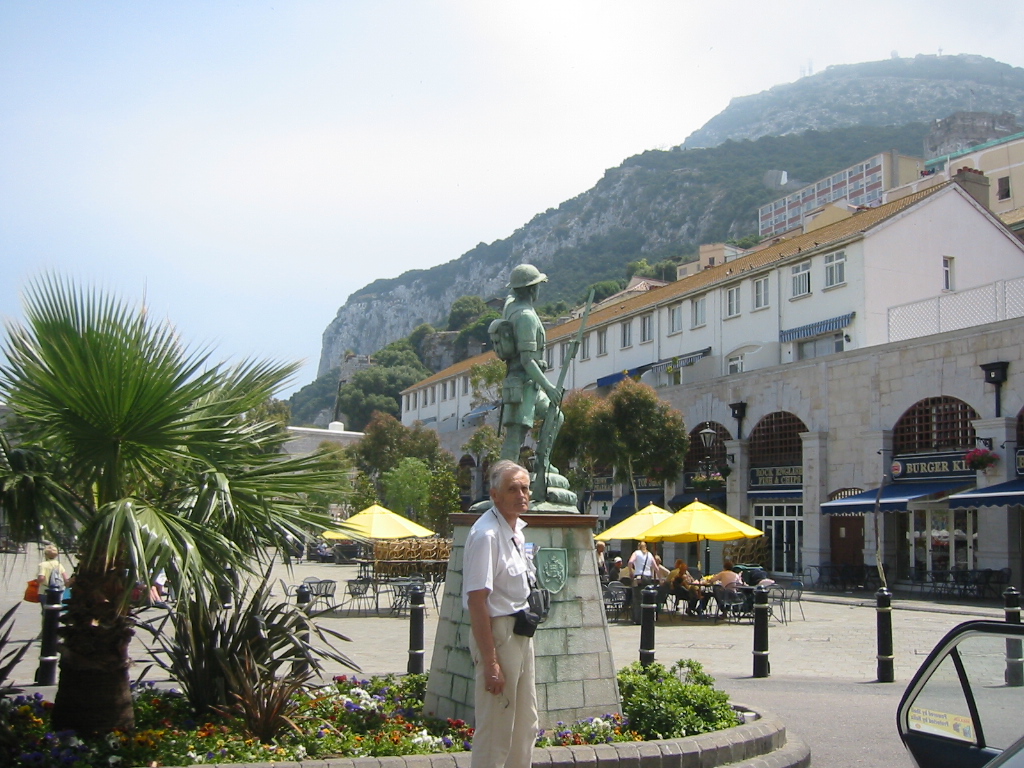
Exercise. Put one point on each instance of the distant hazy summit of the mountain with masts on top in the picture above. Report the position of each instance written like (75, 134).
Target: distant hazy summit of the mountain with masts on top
(890, 93)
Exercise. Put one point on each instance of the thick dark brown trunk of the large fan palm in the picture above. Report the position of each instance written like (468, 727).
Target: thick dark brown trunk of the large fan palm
(94, 693)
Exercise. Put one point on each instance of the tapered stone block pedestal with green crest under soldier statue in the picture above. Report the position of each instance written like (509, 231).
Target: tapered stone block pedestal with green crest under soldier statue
(576, 674)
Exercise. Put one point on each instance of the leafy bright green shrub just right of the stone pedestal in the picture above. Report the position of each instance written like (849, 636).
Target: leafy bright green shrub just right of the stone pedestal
(660, 703)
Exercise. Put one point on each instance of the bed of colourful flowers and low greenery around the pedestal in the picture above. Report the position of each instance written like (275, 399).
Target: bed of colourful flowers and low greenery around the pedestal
(352, 718)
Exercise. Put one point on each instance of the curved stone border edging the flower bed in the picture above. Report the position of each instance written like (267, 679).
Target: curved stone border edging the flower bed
(761, 744)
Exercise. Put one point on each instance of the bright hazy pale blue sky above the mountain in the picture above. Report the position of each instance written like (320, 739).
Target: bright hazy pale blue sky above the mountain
(243, 167)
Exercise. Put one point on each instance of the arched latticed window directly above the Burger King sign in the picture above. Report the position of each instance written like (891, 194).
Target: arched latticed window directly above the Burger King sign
(935, 424)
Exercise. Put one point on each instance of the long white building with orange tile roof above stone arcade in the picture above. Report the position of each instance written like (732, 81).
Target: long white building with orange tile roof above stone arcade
(820, 361)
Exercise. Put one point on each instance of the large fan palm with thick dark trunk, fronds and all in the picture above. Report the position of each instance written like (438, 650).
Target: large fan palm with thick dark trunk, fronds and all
(146, 452)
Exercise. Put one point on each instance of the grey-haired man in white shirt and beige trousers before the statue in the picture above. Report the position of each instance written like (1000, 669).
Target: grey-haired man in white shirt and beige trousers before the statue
(496, 586)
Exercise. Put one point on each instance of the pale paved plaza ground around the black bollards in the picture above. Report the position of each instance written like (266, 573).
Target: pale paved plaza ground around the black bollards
(823, 668)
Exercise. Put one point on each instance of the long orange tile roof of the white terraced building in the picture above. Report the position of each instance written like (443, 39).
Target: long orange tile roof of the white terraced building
(804, 245)
